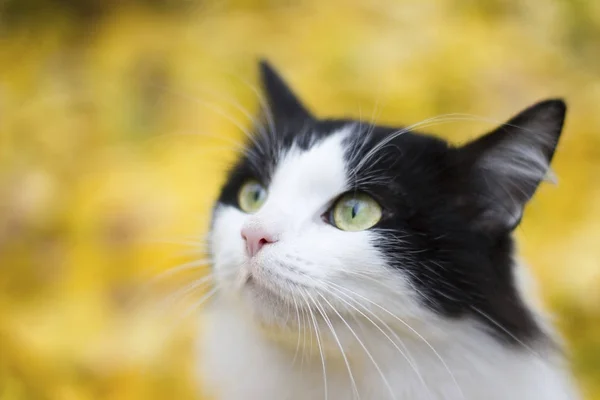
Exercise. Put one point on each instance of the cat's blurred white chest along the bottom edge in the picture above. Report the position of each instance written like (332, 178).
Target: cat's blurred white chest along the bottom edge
(237, 363)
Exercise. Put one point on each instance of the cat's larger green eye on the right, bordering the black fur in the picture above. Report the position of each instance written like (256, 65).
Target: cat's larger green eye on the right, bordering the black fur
(356, 212)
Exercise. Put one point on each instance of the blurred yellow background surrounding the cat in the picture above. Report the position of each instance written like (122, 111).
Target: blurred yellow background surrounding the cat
(118, 118)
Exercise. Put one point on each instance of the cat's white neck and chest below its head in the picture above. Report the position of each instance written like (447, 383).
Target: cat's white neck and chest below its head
(239, 361)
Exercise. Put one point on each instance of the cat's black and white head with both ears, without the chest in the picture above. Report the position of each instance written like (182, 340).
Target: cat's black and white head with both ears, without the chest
(345, 217)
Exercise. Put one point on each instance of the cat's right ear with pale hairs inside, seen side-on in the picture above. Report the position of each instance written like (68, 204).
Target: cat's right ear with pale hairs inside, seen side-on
(507, 165)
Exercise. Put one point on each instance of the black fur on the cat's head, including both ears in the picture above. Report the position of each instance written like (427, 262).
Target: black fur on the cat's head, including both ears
(449, 212)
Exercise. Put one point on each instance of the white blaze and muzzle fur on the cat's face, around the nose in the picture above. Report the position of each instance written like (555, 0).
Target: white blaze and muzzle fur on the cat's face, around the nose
(307, 251)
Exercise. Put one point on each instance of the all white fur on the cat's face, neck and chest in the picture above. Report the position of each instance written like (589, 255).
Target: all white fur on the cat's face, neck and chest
(257, 345)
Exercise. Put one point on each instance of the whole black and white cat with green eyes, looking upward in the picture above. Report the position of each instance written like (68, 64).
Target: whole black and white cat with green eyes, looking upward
(355, 261)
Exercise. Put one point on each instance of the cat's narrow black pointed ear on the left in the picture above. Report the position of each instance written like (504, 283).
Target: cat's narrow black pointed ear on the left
(284, 106)
